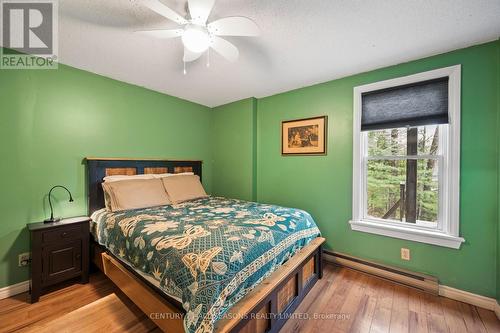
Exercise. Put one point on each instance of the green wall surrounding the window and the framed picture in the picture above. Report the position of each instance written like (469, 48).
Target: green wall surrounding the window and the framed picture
(322, 185)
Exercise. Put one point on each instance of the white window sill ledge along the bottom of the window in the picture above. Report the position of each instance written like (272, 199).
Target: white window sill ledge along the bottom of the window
(412, 234)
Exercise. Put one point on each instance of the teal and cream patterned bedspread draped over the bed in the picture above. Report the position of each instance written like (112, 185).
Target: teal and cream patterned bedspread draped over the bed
(206, 253)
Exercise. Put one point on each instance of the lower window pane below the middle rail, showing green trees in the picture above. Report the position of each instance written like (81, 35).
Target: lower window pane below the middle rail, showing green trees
(391, 195)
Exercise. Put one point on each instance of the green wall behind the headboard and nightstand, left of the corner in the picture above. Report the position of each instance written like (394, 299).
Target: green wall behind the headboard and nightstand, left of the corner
(51, 119)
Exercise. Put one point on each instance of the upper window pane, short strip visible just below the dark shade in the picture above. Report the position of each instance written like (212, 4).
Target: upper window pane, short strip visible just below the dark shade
(394, 142)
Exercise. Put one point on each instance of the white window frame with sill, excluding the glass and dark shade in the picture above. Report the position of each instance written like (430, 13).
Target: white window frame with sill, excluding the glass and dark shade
(447, 232)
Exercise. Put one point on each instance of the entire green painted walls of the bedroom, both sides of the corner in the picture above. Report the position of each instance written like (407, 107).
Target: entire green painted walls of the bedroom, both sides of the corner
(50, 120)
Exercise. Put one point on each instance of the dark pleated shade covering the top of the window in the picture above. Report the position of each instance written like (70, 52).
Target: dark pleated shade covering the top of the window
(423, 103)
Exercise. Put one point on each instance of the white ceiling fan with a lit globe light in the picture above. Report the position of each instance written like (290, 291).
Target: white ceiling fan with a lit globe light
(197, 35)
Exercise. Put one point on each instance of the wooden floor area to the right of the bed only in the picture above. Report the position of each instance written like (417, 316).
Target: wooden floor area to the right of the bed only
(364, 303)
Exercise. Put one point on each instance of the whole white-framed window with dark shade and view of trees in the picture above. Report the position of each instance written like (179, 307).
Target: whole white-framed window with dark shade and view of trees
(406, 157)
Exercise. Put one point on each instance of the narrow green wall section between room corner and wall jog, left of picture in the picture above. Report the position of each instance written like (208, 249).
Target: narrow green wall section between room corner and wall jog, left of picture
(235, 149)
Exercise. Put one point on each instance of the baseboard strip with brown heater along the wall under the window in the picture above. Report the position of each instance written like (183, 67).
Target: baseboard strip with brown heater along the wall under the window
(415, 280)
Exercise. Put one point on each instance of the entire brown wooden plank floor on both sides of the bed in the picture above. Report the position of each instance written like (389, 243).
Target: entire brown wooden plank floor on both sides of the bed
(343, 301)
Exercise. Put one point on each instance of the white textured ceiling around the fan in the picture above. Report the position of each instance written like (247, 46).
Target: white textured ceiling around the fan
(303, 42)
